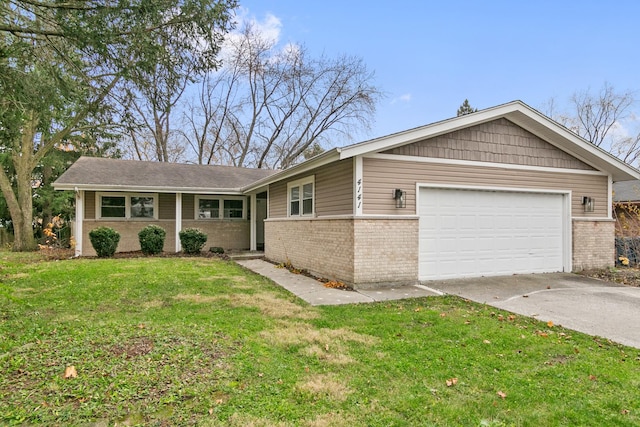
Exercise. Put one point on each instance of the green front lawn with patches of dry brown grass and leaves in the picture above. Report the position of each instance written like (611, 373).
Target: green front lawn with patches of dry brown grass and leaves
(195, 341)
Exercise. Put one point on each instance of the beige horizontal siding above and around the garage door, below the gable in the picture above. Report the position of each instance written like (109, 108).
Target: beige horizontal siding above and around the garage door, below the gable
(381, 176)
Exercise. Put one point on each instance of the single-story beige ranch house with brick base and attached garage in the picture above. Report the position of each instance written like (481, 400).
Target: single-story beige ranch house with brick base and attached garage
(501, 191)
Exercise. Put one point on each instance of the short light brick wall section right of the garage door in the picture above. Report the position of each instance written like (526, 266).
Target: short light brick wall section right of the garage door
(593, 244)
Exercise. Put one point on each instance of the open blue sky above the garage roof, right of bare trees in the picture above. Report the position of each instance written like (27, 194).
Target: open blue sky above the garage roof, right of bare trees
(429, 56)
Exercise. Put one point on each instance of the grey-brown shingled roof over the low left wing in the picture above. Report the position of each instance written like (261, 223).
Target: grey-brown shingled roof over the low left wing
(102, 174)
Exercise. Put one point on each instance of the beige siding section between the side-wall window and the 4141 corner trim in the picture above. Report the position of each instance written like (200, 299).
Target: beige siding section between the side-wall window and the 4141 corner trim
(334, 189)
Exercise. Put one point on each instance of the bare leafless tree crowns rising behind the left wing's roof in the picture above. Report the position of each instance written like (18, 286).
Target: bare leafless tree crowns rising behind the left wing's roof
(273, 105)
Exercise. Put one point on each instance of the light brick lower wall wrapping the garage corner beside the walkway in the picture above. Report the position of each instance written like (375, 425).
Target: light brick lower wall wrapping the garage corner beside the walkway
(365, 252)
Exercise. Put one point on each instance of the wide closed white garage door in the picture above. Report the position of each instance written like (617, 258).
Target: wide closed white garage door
(470, 233)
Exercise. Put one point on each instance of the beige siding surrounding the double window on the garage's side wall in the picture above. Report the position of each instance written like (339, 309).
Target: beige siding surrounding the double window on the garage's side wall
(333, 191)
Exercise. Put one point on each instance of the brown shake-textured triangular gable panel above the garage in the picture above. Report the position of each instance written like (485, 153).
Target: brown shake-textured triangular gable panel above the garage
(498, 141)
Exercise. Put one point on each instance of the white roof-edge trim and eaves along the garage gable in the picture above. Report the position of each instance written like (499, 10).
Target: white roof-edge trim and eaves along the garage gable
(516, 112)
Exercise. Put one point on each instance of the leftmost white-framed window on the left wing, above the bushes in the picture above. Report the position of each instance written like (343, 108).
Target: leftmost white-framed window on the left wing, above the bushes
(127, 206)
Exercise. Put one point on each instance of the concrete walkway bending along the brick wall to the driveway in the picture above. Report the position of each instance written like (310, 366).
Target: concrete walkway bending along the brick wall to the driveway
(315, 293)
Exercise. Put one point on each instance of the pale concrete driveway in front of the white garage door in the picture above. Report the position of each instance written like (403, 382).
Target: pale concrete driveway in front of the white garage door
(580, 303)
